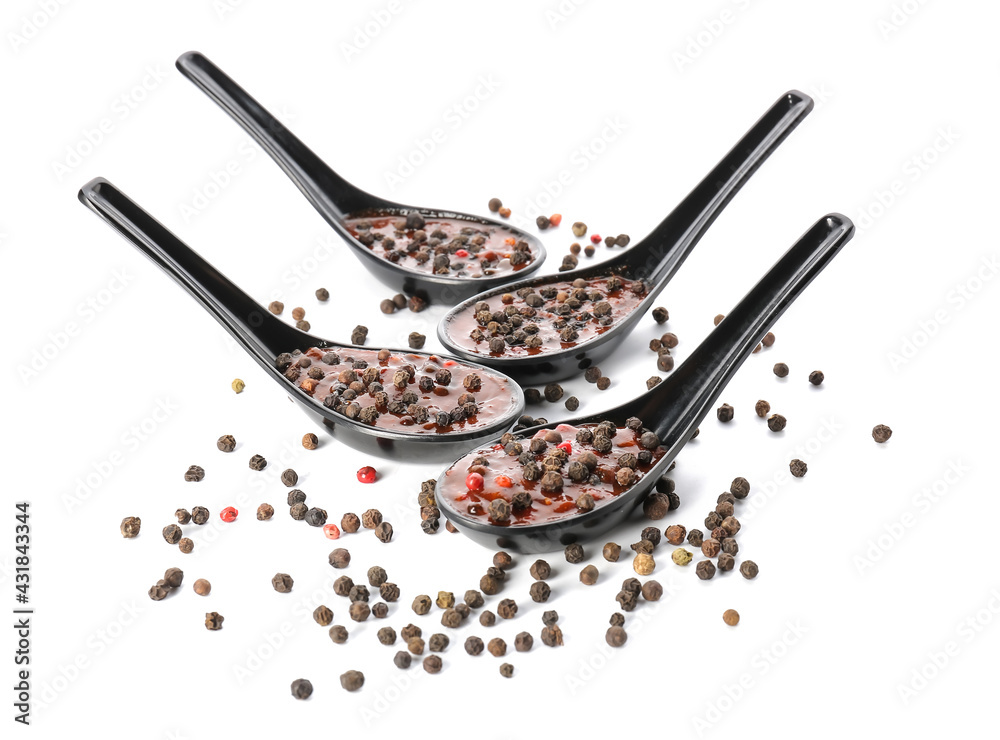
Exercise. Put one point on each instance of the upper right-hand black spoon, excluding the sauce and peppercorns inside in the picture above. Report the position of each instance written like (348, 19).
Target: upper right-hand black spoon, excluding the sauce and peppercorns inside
(655, 259)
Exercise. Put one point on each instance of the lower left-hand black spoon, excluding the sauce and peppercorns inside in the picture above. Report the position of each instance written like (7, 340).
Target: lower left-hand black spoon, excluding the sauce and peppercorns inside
(264, 336)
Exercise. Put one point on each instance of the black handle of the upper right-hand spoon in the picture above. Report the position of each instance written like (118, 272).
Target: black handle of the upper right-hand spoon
(663, 251)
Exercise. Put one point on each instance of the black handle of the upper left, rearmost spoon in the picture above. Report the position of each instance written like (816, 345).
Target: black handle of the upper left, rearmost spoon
(329, 193)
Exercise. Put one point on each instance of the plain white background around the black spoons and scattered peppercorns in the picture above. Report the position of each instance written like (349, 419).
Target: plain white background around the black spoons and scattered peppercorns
(904, 100)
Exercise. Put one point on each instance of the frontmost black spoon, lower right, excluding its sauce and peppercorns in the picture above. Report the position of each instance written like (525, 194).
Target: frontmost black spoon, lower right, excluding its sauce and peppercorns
(674, 408)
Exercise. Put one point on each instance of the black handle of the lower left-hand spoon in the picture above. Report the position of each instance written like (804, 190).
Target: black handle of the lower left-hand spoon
(258, 331)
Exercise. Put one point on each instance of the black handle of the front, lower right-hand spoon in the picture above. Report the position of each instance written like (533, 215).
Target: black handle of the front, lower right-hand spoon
(681, 401)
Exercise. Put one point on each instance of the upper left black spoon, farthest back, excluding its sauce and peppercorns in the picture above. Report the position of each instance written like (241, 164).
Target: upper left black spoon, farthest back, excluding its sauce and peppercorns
(336, 199)
